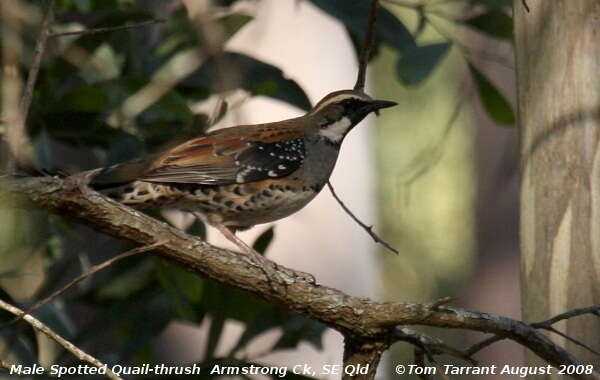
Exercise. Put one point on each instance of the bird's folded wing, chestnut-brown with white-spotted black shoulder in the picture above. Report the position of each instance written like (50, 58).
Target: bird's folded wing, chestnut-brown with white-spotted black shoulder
(233, 155)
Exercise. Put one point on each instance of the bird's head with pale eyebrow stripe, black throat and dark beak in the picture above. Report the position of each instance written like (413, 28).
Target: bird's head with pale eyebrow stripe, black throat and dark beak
(337, 113)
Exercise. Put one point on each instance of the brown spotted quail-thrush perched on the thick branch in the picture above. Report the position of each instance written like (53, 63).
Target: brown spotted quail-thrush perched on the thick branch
(235, 178)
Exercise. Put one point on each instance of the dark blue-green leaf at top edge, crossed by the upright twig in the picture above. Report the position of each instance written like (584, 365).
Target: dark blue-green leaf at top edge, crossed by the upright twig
(354, 14)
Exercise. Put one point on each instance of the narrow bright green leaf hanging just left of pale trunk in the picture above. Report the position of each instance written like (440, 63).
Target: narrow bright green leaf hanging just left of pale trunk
(495, 104)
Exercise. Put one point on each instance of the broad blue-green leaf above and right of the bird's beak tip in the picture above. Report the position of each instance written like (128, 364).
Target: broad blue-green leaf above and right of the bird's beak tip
(418, 63)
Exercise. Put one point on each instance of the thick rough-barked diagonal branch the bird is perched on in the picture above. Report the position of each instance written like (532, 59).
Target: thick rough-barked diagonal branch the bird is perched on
(359, 319)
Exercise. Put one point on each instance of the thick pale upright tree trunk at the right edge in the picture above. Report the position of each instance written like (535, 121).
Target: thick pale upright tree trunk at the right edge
(558, 71)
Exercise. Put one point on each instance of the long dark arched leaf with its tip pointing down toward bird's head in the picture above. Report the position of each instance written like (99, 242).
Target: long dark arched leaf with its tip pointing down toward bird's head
(259, 78)
